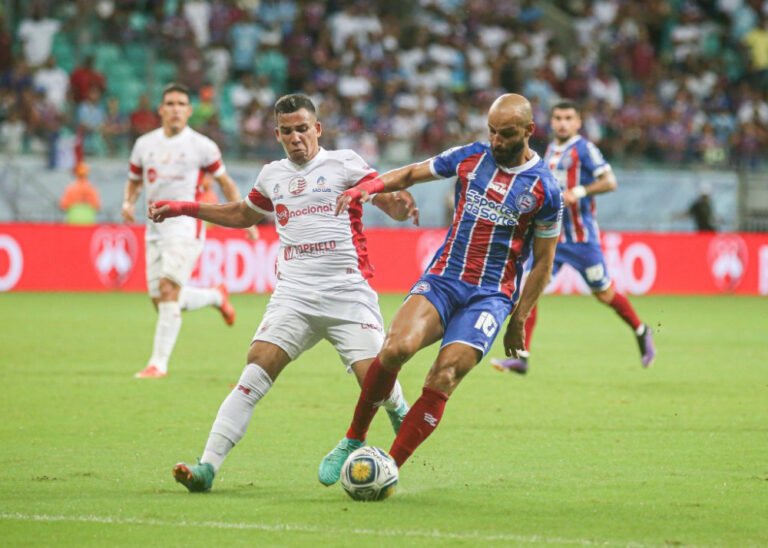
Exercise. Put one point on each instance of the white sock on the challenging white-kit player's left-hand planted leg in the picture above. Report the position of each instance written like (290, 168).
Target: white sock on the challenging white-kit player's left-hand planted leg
(235, 414)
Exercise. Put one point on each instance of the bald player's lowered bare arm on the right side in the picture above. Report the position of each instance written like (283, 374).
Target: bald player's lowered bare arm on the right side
(543, 257)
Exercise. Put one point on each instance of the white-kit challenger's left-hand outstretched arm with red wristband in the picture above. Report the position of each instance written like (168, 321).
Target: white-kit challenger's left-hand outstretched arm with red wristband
(231, 214)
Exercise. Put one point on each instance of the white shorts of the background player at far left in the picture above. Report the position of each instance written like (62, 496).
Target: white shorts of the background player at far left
(171, 258)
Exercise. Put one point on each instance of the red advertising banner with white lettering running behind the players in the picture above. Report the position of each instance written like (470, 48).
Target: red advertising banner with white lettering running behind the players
(48, 257)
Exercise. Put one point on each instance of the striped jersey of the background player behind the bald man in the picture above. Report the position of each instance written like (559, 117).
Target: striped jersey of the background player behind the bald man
(577, 162)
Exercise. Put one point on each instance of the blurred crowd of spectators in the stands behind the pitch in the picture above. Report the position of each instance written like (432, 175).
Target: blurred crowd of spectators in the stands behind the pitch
(680, 82)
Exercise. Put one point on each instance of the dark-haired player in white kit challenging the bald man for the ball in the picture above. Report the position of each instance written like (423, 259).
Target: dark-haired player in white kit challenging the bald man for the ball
(322, 270)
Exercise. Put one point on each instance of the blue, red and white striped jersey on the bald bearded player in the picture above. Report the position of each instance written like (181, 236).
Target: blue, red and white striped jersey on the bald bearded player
(497, 212)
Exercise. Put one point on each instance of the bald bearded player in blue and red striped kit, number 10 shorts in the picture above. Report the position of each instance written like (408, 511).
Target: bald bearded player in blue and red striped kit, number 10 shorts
(507, 204)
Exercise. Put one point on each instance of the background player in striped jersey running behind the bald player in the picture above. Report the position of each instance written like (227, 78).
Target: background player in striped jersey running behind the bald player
(582, 173)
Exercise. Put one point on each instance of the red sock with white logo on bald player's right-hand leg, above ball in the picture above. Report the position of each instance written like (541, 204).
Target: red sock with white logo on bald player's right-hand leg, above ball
(419, 423)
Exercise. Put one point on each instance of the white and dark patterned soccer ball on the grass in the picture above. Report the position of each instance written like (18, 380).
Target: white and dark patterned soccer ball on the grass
(369, 474)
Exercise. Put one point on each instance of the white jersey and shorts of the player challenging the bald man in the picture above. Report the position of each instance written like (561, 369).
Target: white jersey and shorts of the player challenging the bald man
(322, 264)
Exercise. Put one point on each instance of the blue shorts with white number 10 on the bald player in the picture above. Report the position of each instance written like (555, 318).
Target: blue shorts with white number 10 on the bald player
(470, 314)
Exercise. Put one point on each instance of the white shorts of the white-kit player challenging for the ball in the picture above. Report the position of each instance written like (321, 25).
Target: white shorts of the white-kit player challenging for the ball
(351, 322)
